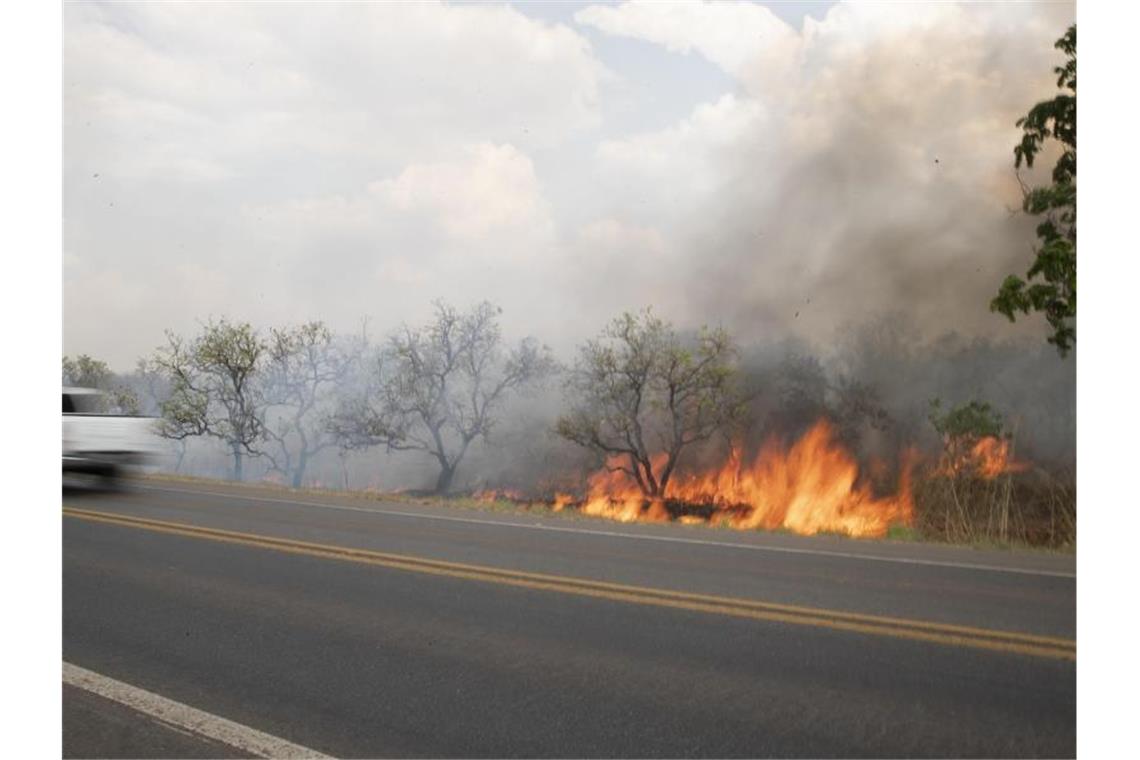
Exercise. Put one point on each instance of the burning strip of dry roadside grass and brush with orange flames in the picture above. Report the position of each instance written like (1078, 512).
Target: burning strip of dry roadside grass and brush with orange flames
(978, 494)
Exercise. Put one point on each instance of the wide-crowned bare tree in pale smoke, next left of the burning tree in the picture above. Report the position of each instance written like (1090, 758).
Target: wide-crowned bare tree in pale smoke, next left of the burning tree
(441, 387)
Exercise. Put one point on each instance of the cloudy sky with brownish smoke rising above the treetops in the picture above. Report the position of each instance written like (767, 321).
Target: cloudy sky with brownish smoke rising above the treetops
(785, 169)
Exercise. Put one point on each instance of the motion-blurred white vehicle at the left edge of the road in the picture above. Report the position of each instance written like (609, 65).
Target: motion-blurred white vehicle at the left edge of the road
(100, 443)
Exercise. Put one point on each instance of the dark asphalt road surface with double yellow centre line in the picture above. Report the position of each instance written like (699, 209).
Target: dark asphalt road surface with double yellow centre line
(361, 628)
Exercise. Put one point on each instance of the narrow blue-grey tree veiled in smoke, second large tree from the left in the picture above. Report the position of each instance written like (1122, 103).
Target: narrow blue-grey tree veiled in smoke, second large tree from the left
(306, 365)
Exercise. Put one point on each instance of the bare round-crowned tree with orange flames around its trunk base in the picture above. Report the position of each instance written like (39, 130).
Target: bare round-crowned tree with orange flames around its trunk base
(641, 391)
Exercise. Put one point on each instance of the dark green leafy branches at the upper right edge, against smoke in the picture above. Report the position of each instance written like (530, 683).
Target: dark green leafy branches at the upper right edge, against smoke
(1051, 284)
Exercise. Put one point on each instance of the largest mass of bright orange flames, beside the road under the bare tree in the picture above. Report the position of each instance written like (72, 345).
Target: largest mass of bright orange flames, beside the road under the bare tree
(812, 487)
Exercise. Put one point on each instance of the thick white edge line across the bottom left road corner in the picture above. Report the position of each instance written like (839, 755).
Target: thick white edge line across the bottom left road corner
(185, 717)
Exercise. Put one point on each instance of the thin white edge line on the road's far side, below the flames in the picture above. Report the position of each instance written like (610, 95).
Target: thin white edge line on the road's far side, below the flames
(671, 540)
